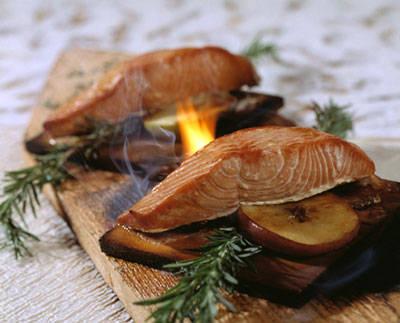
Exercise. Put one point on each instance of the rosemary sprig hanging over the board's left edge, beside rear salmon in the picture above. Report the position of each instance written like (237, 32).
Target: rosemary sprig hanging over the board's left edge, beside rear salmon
(22, 187)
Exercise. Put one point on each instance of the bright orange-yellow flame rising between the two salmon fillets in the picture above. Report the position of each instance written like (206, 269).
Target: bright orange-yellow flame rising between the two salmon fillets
(196, 126)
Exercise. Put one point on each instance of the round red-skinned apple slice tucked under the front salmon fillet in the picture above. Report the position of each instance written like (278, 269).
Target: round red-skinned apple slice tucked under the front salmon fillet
(310, 227)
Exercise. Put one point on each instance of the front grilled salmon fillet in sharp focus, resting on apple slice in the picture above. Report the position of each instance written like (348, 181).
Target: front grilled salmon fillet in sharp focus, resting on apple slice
(267, 165)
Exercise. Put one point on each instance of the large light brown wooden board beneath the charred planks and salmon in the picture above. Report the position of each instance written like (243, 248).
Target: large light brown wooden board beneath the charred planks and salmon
(90, 203)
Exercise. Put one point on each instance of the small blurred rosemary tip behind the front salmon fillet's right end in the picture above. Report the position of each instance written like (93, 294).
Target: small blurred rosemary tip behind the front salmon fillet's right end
(333, 118)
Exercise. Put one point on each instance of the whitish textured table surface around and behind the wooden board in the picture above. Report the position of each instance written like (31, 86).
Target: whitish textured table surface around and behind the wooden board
(346, 50)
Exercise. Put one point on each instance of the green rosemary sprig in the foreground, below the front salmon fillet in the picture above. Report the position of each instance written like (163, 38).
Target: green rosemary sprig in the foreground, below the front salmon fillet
(199, 291)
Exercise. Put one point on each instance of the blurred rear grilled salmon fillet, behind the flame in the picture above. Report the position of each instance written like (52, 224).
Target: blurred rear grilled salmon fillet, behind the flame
(146, 84)
